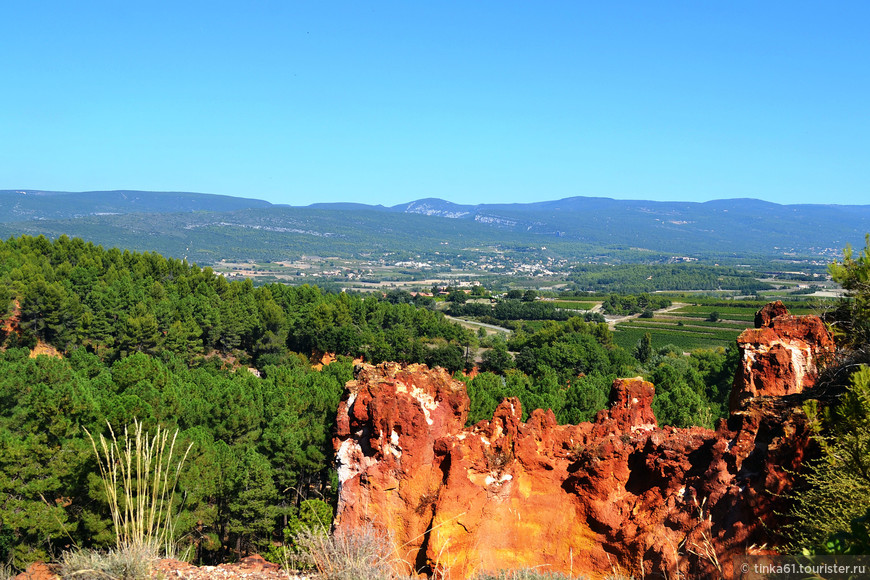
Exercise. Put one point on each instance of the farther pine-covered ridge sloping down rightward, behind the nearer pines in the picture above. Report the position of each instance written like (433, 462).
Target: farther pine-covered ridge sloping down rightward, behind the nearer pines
(115, 303)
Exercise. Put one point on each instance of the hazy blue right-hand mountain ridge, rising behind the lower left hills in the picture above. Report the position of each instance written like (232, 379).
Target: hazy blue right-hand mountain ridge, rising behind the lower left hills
(738, 224)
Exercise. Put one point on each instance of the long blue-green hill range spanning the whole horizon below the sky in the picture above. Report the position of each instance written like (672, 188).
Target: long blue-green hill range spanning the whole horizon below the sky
(206, 227)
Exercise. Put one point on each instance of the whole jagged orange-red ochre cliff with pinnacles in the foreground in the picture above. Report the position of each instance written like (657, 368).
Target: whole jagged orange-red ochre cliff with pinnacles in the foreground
(618, 494)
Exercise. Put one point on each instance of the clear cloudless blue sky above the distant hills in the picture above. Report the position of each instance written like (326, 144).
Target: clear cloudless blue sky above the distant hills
(471, 101)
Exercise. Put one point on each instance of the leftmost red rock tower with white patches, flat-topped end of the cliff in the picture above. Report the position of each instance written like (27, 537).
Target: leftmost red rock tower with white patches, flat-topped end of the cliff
(389, 422)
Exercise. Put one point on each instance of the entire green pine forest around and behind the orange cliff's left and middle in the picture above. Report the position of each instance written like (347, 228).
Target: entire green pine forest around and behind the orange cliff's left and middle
(167, 343)
